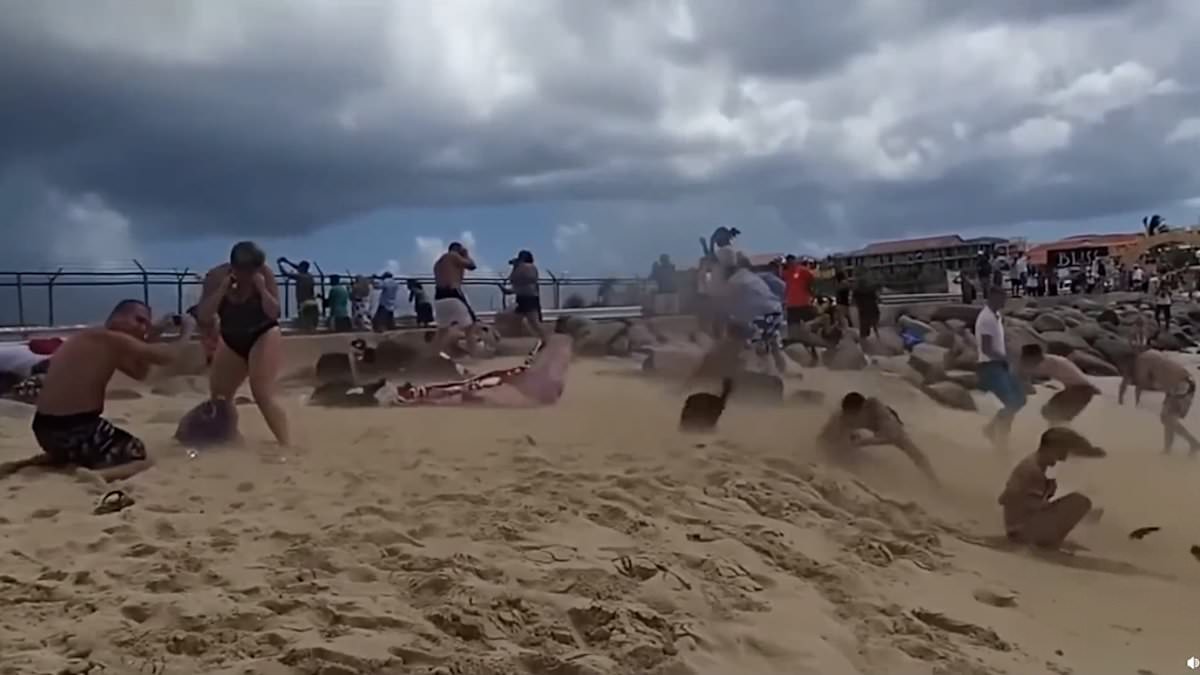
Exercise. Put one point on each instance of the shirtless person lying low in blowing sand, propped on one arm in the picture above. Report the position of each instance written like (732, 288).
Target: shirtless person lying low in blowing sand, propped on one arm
(860, 413)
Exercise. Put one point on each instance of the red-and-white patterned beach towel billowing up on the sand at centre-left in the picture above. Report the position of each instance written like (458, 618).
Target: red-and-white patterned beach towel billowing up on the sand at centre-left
(541, 381)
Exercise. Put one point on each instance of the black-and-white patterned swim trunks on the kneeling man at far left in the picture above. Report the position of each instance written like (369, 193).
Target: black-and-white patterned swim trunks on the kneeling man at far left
(87, 440)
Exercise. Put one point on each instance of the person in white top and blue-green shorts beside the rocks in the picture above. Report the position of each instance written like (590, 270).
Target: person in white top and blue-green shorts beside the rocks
(995, 375)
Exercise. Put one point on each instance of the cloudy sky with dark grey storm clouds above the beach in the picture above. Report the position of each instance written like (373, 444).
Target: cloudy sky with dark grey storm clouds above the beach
(823, 122)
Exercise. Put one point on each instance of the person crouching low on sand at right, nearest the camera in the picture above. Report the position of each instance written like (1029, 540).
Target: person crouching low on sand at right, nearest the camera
(1031, 513)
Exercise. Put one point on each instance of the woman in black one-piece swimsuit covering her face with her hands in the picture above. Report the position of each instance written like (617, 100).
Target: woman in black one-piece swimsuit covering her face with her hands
(243, 294)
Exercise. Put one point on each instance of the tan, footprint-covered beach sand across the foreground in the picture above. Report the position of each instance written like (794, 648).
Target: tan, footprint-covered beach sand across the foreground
(592, 539)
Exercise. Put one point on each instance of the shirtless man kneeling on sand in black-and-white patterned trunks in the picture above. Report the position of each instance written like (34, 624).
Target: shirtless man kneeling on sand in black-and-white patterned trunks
(69, 426)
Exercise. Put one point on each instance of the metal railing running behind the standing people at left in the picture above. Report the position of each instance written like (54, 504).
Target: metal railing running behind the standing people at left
(164, 288)
